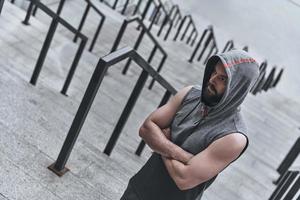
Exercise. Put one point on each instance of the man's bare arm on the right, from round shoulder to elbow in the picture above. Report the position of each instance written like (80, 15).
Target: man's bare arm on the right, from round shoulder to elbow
(208, 163)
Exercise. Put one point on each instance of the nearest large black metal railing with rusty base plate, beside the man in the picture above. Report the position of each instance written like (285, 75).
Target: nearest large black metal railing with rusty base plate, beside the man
(58, 167)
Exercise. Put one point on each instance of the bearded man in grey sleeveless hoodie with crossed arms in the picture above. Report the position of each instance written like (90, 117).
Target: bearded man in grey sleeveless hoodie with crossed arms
(197, 134)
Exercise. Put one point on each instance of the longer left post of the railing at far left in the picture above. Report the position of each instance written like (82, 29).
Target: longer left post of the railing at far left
(44, 51)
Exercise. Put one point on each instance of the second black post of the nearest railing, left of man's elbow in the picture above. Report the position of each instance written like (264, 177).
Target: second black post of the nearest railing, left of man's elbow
(126, 112)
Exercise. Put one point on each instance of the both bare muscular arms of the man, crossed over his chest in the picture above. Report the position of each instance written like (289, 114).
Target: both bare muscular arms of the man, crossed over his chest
(188, 170)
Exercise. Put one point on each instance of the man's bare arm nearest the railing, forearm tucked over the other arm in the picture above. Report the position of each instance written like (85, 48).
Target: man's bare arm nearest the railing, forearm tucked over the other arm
(152, 134)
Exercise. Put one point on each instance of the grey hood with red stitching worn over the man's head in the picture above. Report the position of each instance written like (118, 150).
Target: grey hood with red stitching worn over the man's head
(242, 71)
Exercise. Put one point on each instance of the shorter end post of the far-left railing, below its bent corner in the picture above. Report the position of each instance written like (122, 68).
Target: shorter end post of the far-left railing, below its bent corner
(73, 66)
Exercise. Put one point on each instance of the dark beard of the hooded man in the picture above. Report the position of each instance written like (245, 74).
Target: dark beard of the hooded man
(210, 96)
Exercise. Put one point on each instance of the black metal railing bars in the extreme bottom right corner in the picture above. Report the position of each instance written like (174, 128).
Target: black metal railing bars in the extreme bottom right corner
(288, 187)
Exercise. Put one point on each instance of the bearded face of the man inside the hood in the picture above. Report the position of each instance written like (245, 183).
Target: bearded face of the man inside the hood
(216, 85)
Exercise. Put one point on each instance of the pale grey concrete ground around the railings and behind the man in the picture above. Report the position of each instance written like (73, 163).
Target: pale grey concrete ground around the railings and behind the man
(34, 120)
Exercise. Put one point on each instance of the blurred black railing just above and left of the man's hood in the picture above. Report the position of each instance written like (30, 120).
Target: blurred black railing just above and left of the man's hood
(210, 42)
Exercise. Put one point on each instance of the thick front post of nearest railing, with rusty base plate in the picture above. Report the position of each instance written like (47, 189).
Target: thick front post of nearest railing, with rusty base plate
(58, 167)
